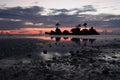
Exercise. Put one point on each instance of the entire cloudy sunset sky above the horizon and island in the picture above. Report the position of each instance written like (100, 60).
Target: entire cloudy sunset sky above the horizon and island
(30, 16)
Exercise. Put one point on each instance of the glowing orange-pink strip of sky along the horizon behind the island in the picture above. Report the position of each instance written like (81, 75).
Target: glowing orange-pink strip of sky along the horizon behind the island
(43, 30)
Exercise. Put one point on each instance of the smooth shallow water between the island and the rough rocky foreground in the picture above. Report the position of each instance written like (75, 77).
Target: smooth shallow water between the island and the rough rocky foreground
(46, 47)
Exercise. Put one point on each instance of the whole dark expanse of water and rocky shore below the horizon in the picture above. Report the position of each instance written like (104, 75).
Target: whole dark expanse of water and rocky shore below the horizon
(60, 58)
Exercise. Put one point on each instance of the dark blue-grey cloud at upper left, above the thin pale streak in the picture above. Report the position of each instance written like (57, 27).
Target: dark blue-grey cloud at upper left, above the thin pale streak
(19, 12)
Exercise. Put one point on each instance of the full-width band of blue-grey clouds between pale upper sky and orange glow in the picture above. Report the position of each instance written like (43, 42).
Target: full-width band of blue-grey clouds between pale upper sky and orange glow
(15, 17)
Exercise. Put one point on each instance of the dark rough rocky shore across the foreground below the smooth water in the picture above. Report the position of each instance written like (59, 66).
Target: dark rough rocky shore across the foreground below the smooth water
(90, 64)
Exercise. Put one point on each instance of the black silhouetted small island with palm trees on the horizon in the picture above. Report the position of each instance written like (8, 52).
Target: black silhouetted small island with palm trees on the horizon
(74, 31)
